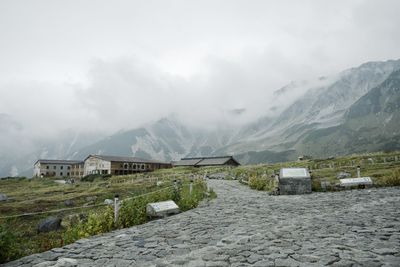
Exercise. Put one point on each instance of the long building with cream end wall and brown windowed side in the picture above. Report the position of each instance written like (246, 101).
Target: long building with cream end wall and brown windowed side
(115, 165)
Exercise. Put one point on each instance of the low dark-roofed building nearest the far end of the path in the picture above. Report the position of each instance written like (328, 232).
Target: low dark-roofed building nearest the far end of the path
(207, 161)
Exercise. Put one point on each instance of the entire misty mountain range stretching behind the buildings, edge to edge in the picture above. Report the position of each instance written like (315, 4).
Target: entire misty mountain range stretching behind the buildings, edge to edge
(356, 110)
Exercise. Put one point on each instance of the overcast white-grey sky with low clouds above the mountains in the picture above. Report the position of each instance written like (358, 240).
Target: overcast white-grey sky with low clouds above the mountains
(107, 65)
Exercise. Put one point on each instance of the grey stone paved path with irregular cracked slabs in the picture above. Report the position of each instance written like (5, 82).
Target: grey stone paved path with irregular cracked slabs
(243, 227)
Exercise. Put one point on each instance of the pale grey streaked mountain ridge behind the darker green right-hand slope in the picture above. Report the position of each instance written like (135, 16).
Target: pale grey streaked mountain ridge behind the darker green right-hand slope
(323, 105)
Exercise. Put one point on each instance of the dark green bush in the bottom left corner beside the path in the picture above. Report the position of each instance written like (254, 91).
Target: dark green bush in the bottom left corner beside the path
(8, 249)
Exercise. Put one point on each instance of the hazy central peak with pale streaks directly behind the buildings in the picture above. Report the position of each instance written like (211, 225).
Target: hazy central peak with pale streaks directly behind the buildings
(167, 139)
